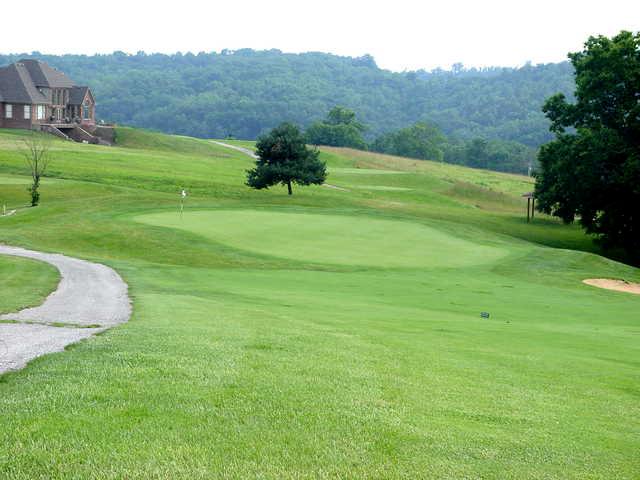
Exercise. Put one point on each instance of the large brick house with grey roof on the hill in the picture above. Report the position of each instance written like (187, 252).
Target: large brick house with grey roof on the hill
(34, 95)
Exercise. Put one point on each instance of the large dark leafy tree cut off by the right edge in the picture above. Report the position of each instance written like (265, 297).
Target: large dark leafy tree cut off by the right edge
(592, 170)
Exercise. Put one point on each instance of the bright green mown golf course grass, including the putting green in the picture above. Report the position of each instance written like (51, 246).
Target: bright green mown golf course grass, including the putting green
(332, 334)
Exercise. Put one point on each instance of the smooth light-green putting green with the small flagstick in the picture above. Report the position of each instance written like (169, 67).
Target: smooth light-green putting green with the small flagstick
(330, 239)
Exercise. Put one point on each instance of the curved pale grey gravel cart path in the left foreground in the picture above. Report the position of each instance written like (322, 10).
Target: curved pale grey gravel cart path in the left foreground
(89, 295)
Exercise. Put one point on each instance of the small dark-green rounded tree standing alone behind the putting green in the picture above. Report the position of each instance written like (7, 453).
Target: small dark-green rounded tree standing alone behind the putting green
(283, 157)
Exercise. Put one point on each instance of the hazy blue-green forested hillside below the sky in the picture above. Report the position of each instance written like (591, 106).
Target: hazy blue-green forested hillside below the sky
(245, 92)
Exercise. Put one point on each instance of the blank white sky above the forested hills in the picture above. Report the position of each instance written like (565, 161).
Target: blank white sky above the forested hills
(400, 34)
